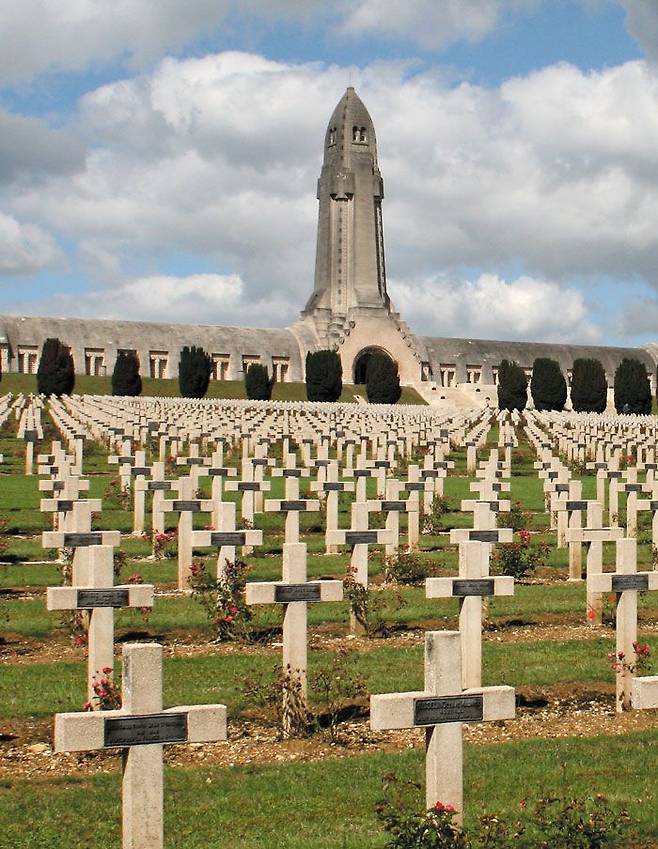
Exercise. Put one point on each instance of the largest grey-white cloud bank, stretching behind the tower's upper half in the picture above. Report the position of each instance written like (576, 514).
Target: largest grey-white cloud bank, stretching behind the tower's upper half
(555, 174)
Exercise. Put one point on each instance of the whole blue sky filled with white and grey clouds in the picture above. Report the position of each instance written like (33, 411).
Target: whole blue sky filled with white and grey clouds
(159, 158)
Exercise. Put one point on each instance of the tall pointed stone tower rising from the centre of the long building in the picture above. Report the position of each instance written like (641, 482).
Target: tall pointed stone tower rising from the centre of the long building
(350, 272)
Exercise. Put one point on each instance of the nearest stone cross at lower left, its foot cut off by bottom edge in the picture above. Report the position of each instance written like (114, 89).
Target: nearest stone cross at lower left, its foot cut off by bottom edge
(140, 728)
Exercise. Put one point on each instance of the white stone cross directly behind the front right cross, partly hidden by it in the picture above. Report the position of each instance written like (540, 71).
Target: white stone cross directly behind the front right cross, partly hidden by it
(473, 584)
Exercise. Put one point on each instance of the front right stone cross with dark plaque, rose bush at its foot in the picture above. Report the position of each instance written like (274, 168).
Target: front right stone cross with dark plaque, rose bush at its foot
(441, 709)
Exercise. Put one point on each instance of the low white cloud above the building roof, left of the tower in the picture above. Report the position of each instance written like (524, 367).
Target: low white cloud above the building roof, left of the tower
(197, 299)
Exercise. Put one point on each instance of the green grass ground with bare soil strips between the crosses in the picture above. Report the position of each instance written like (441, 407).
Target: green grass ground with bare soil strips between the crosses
(319, 794)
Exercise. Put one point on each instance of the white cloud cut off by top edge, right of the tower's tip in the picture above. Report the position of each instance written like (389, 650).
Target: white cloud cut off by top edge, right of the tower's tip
(430, 23)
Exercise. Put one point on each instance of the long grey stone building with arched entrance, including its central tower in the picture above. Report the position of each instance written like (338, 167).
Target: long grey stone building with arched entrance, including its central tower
(349, 309)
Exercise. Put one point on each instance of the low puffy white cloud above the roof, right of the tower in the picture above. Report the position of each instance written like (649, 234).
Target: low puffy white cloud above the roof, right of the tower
(493, 308)
